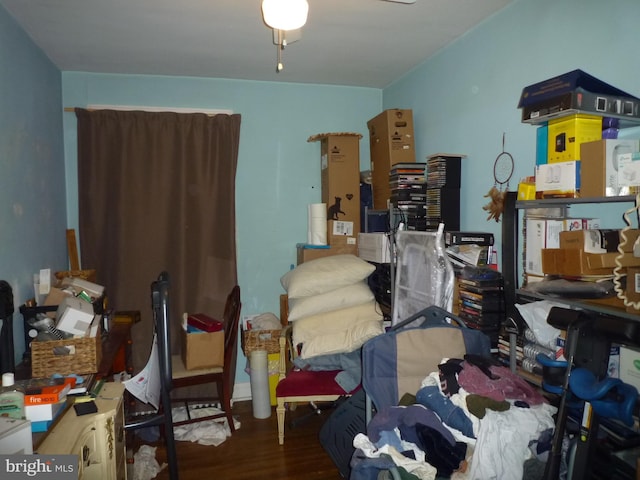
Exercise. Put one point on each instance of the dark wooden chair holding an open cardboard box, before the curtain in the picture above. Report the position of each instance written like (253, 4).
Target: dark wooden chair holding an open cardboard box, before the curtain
(223, 376)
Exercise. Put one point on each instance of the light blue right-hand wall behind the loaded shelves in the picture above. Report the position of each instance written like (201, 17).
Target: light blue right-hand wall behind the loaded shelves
(465, 97)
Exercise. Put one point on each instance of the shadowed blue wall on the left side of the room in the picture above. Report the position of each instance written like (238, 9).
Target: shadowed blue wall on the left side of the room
(32, 186)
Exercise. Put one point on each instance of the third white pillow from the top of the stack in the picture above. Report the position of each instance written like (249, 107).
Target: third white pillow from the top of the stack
(338, 321)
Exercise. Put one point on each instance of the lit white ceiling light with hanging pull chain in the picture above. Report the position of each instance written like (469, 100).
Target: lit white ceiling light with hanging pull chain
(283, 16)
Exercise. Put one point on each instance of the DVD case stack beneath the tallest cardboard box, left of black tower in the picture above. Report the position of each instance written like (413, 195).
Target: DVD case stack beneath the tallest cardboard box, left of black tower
(408, 183)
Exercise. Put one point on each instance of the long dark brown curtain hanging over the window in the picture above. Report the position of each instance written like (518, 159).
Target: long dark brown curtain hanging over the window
(157, 192)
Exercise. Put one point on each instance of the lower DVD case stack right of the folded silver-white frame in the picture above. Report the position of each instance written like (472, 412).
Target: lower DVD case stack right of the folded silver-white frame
(481, 306)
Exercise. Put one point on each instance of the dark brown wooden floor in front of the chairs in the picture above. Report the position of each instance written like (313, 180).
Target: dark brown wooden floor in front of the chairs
(253, 452)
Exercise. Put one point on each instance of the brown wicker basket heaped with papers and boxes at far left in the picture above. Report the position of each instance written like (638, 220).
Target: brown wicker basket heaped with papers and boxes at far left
(85, 357)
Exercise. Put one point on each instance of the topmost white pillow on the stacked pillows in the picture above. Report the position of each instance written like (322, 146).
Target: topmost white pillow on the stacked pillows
(325, 274)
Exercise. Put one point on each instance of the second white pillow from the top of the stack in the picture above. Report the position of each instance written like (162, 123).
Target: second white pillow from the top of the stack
(344, 297)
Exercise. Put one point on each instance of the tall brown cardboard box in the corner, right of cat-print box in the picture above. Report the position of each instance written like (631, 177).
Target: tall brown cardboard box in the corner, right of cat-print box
(391, 141)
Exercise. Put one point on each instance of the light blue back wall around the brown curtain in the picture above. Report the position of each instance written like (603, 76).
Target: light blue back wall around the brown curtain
(278, 170)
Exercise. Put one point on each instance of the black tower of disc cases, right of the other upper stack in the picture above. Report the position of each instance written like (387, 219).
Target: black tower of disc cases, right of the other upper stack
(443, 191)
